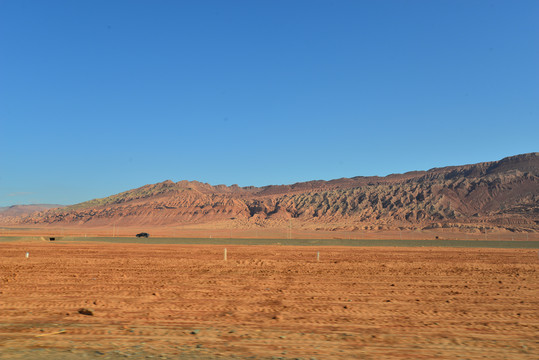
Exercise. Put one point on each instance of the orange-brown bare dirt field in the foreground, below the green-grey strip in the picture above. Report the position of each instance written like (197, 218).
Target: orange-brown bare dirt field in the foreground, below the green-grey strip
(264, 302)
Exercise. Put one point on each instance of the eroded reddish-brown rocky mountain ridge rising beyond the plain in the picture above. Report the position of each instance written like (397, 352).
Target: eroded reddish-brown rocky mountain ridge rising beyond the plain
(502, 193)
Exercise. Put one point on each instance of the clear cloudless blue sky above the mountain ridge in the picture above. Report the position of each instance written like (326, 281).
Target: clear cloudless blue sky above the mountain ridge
(98, 97)
